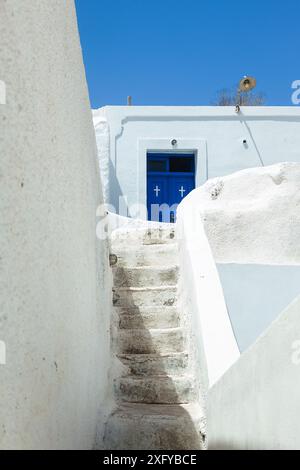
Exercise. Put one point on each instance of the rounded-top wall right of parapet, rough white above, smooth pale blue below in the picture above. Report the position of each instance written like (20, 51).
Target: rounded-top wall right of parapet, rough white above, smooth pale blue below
(252, 222)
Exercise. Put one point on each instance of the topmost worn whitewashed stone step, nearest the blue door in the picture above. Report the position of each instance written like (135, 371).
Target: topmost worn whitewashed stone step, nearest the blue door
(159, 235)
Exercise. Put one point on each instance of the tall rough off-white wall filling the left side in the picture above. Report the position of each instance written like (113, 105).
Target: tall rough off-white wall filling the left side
(55, 292)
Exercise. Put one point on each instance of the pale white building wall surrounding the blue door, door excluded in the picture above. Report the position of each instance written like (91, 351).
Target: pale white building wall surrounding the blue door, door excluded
(272, 135)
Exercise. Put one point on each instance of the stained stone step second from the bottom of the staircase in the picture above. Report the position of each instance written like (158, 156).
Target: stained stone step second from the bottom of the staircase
(155, 389)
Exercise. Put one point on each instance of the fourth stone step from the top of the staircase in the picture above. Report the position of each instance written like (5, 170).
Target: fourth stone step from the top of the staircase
(145, 296)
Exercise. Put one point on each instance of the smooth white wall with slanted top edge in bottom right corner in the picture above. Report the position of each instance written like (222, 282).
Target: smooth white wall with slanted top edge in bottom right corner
(255, 405)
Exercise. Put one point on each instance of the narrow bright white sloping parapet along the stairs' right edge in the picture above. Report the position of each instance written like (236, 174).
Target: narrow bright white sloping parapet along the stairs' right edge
(202, 296)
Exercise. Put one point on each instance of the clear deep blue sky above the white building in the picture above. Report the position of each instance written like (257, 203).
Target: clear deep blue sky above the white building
(171, 52)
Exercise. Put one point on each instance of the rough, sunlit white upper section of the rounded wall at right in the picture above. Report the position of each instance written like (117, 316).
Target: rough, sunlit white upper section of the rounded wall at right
(252, 216)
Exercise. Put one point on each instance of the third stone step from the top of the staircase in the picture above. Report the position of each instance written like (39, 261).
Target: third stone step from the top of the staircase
(145, 276)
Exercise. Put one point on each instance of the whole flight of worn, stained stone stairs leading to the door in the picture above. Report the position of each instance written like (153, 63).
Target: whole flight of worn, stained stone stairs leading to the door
(154, 388)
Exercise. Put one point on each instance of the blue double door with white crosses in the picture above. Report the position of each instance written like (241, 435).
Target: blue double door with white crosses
(170, 178)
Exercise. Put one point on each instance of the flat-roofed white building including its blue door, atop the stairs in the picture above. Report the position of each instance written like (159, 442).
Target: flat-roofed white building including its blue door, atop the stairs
(151, 155)
